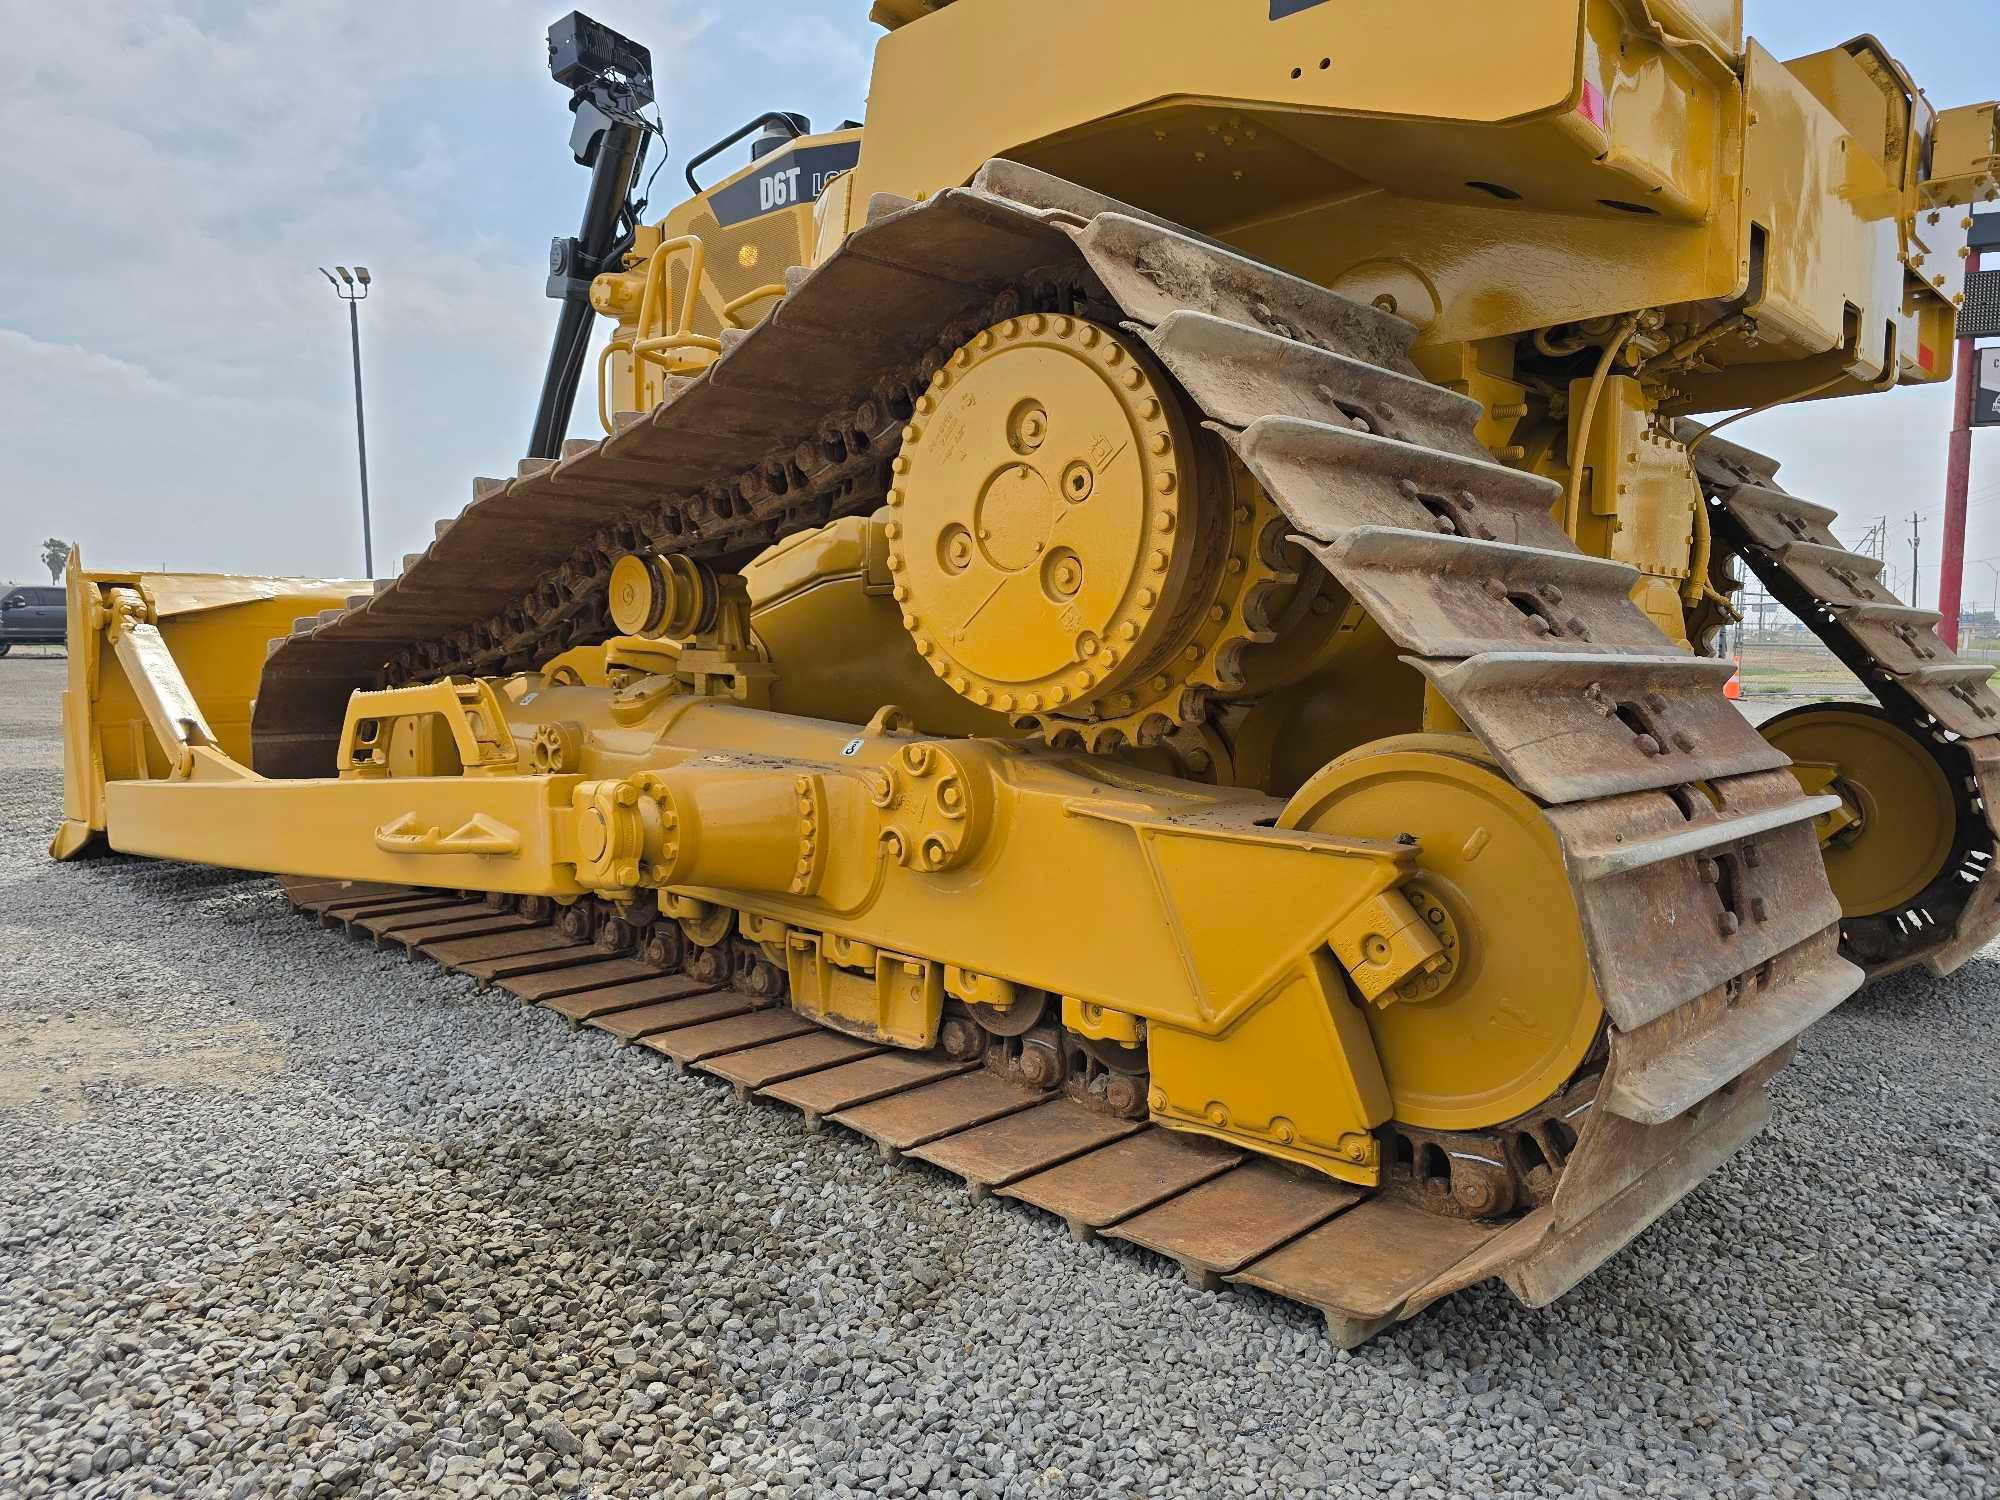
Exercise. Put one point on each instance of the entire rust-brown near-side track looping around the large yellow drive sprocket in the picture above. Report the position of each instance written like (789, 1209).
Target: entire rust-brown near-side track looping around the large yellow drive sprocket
(1691, 851)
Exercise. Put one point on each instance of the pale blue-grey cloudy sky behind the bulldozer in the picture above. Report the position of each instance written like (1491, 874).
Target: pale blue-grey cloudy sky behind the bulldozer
(175, 379)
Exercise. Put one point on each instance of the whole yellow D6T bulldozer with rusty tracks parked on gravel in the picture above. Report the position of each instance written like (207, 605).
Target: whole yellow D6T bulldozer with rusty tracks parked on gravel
(1145, 629)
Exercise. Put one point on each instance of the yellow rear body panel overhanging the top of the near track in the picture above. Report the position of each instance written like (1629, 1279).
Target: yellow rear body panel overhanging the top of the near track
(1627, 157)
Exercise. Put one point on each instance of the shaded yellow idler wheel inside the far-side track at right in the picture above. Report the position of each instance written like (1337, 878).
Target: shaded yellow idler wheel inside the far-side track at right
(1897, 827)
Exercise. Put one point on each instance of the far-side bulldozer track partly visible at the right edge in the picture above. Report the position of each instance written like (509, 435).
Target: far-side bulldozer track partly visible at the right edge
(1945, 707)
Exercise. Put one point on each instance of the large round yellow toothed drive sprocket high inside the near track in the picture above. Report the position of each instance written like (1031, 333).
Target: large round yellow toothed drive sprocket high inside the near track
(1071, 549)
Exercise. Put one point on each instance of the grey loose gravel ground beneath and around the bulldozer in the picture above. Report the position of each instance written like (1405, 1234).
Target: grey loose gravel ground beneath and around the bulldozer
(283, 1215)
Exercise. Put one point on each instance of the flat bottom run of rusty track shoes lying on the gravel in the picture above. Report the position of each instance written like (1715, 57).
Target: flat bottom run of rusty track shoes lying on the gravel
(1363, 1261)
